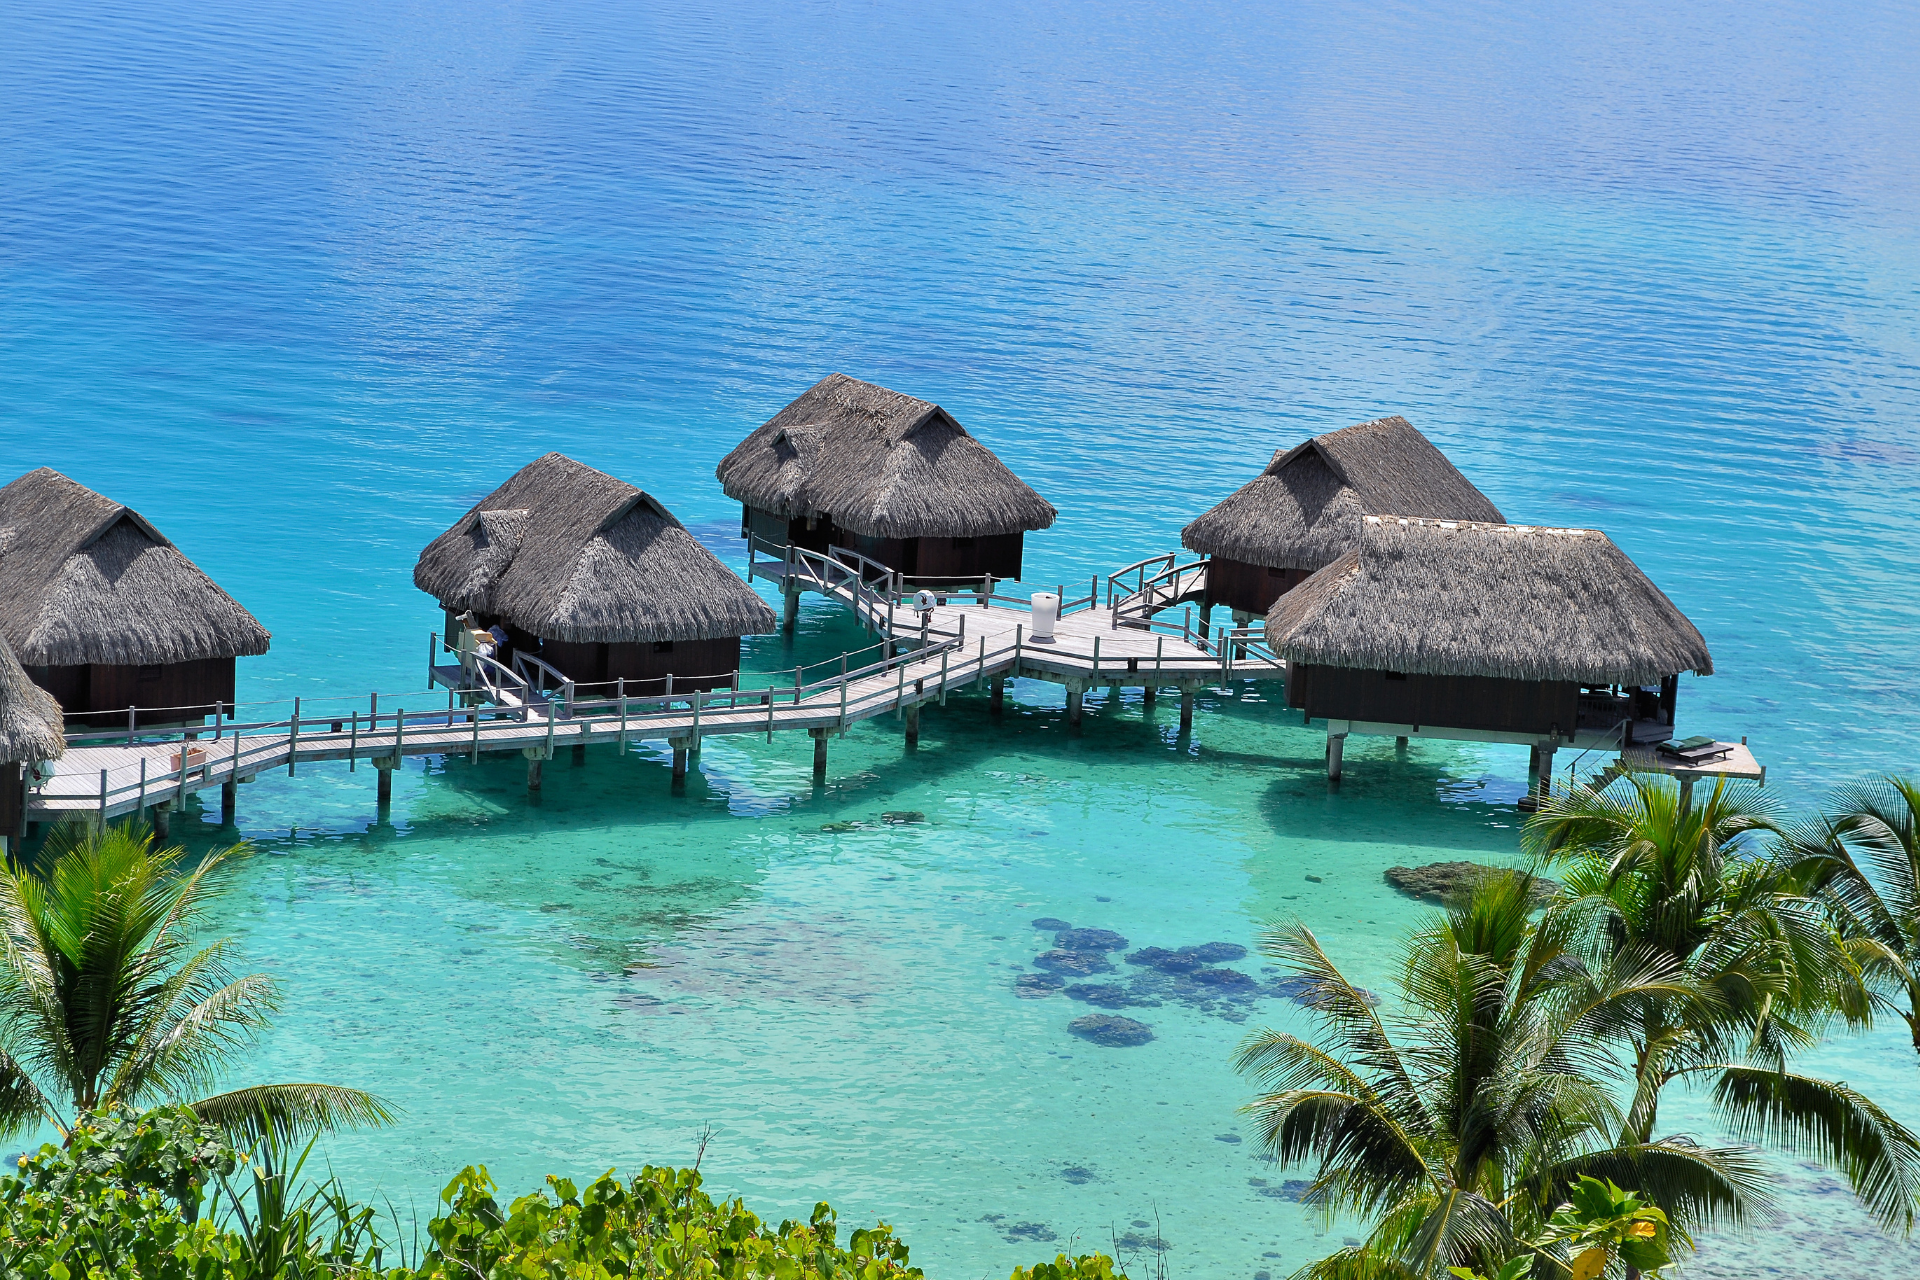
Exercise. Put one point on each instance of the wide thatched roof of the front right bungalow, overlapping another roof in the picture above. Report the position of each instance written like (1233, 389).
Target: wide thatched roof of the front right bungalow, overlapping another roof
(1451, 598)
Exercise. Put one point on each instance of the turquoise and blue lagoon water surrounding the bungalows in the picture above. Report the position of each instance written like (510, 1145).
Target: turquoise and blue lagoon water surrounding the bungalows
(304, 281)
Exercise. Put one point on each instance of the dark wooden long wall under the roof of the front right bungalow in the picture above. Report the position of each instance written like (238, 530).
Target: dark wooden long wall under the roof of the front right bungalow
(1437, 701)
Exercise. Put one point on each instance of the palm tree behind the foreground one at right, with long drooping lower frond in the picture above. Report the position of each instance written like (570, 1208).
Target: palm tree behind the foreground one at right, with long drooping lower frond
(1765, 974)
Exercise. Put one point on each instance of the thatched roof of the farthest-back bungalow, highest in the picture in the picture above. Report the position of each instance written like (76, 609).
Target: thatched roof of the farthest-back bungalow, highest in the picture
(878, 463)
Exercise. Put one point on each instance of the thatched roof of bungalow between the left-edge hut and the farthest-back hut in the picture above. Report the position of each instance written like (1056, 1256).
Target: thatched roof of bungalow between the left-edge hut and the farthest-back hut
(569, 554)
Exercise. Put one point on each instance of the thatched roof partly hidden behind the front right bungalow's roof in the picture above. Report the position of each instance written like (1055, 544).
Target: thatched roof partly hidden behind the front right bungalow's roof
(1307, 508)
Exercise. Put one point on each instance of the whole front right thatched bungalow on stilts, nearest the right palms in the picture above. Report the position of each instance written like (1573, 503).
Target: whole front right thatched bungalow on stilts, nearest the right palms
(1485, 632)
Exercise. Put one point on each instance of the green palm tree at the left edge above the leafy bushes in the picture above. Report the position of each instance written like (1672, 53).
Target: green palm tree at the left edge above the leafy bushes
(105, 999)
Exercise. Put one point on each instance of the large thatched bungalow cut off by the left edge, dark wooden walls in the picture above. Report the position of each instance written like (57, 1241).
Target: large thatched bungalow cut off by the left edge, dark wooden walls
(107, 615)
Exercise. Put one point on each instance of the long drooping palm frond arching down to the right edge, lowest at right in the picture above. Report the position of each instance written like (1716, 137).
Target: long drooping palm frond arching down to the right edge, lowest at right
(1836, 1126)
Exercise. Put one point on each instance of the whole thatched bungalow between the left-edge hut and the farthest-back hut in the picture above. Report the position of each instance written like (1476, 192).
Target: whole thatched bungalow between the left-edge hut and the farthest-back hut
(594, 579)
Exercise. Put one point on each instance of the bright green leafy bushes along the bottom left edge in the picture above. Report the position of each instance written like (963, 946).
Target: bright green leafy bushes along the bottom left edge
(164, 1197)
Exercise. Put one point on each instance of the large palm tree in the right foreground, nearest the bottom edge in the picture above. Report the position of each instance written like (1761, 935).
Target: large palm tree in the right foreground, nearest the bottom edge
(1464, 1118)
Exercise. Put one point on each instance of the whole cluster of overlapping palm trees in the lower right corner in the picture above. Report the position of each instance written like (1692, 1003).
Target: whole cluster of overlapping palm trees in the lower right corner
(1527, 1053)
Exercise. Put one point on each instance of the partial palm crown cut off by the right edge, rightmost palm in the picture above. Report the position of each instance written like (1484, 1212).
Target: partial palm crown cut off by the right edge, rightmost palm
(1863, 859)
